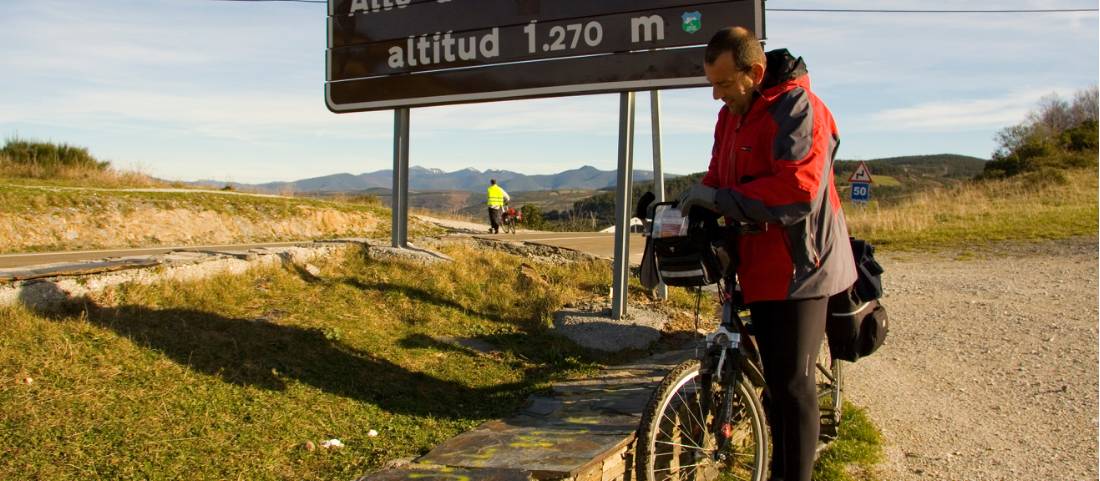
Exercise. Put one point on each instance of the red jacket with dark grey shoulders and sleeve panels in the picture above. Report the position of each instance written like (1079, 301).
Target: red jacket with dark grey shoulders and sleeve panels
(774, 170)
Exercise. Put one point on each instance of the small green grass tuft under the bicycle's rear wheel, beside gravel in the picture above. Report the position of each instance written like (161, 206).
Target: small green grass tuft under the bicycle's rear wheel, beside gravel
(856, 451)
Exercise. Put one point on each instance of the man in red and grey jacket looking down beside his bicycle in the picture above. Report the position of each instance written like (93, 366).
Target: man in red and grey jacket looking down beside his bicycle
(772, 171)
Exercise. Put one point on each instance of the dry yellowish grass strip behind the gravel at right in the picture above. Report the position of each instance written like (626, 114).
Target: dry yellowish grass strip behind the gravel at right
(1048, 206)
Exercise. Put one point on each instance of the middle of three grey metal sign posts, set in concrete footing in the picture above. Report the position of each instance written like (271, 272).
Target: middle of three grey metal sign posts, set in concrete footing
(623, 210)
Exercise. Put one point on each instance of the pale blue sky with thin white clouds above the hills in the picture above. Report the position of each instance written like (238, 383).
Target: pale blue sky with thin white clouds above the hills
(189, 90)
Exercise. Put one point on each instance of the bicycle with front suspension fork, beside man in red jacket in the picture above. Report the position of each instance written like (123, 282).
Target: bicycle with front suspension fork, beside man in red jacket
(707, 418)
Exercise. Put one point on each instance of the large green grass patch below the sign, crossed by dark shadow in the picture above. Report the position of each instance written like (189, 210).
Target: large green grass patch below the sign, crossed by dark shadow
(229, 378)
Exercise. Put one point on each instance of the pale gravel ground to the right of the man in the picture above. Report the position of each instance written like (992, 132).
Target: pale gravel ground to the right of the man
(991, 368)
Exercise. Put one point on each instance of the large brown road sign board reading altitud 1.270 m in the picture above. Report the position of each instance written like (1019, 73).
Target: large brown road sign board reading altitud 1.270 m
(386, 54)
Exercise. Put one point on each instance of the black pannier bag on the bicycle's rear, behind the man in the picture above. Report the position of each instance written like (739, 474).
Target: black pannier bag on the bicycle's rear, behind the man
(857, 323)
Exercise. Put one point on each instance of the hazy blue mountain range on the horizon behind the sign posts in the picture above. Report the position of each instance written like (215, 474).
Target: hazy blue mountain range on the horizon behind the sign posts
(434, 180)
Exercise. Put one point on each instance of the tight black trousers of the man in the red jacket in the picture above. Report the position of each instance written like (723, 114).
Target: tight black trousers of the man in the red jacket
(789, 334)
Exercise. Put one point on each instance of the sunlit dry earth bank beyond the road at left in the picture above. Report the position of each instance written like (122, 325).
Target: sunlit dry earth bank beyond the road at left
(145, 226)
